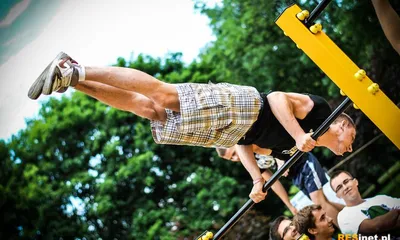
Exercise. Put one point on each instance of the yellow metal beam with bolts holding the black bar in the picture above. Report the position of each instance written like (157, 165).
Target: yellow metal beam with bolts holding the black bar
(344, 73)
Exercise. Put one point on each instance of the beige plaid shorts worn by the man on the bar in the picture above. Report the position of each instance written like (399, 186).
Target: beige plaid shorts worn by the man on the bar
(211, 115)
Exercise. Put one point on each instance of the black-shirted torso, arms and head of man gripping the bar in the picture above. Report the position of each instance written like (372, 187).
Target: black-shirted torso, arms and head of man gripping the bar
(285, 124)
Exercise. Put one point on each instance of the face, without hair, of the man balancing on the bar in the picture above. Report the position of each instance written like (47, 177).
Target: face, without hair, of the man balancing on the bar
(345, 138)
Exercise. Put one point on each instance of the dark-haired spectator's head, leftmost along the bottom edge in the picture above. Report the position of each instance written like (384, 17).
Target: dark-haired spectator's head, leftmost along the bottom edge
(283, 229)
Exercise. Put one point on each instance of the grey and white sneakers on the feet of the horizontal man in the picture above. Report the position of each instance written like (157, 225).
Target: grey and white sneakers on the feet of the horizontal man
(58, 76)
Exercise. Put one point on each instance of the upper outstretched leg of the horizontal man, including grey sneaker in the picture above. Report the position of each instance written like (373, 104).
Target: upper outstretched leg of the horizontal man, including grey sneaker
(63, 72)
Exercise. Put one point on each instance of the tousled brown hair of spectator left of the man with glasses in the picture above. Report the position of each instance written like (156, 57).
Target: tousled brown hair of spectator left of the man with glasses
(304, 219)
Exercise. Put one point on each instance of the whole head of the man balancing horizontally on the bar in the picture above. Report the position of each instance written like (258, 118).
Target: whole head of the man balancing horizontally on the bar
(344, 130)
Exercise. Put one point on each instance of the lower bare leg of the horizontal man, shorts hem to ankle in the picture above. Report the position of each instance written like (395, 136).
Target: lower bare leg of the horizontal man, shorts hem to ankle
(123, 100)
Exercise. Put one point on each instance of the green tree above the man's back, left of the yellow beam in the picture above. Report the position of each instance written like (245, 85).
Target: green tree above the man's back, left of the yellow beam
(248, 45)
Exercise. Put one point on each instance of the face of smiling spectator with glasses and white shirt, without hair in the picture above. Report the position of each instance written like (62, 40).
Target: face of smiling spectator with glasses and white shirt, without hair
(345, 186)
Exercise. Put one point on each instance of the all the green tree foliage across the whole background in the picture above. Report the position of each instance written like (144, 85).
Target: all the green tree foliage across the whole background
(83, 170)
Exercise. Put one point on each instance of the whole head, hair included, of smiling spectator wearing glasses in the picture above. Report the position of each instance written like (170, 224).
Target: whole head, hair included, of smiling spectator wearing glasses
(345, 186)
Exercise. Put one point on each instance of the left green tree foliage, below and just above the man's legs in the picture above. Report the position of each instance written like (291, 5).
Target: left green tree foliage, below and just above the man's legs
(85, 170)
